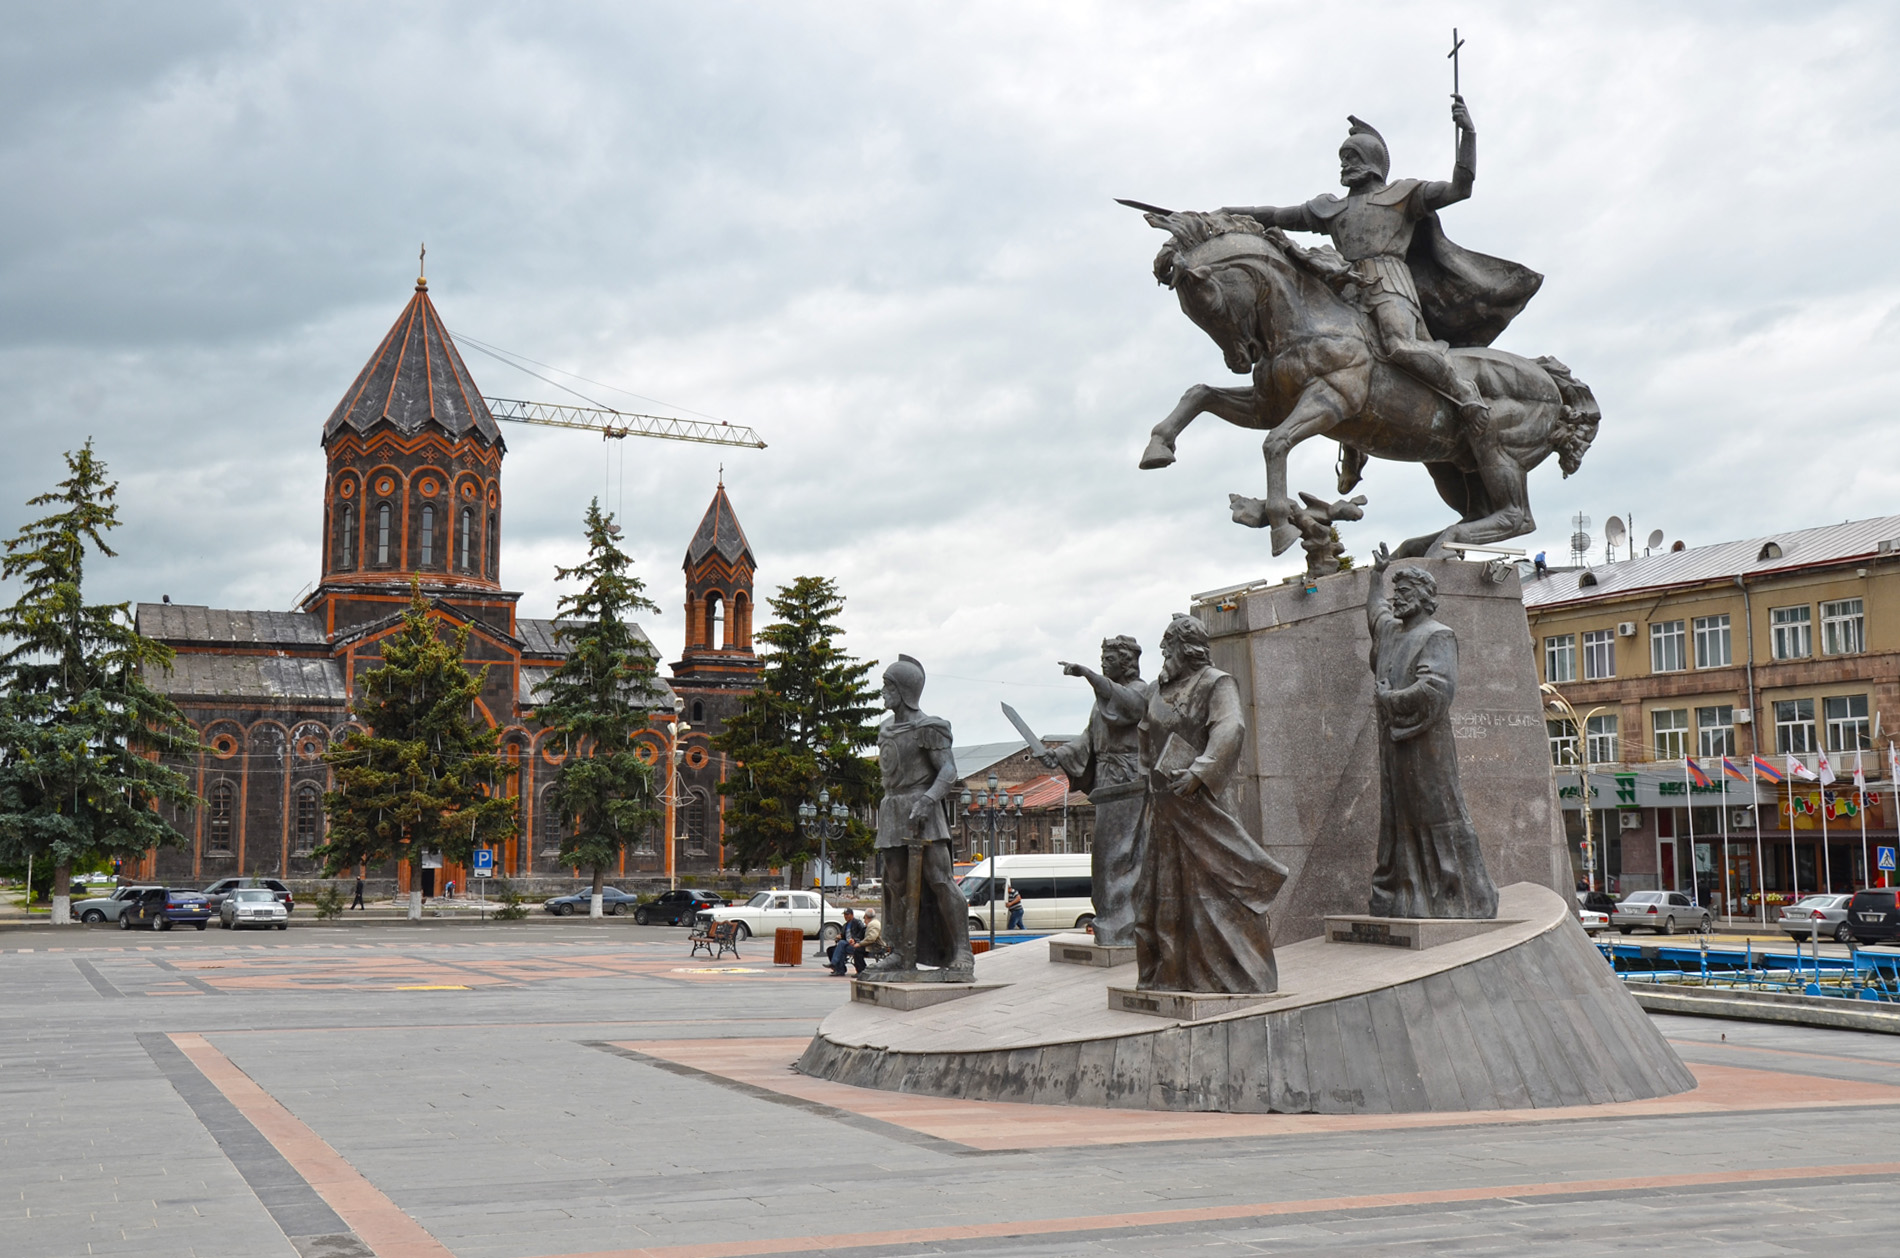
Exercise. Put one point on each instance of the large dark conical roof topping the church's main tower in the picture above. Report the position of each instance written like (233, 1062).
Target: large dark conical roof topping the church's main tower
(415, 379)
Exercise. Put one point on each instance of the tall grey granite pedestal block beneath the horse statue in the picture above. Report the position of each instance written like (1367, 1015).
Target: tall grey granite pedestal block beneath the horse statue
(1310, 772)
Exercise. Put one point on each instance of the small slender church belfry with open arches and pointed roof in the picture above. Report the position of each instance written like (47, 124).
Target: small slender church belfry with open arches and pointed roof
(719, 603)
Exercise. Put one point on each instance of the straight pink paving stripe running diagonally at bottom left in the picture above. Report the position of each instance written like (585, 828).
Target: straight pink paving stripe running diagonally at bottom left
(375, 1219)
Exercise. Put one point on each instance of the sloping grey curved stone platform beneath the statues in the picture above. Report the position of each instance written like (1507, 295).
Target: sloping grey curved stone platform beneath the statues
(1521, 1014)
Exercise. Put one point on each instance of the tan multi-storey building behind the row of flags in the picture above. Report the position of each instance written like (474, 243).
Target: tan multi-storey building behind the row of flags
(1774, 647)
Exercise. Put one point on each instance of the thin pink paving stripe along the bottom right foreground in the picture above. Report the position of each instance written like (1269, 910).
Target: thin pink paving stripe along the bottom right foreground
(1255, 1210)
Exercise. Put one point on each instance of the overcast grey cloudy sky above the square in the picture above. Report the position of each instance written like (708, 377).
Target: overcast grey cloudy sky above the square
(884, 237)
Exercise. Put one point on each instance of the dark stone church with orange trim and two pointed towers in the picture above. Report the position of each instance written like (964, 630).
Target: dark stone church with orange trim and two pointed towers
(413, 493)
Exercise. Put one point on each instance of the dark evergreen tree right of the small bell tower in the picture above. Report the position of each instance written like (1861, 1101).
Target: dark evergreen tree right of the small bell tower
(803, 731)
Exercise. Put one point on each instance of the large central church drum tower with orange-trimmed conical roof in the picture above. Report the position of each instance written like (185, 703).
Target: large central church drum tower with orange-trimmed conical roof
(413, 486)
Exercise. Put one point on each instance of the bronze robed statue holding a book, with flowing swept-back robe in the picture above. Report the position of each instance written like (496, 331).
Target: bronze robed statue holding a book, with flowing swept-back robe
(1202, 904)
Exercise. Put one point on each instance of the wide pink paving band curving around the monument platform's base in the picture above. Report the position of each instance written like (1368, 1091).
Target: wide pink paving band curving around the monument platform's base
(1008, 1126)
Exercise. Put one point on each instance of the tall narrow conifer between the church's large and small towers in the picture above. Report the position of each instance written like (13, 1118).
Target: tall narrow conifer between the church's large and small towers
(598, 700)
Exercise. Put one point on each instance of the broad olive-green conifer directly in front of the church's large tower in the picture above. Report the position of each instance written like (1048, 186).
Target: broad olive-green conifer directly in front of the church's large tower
(427, 774)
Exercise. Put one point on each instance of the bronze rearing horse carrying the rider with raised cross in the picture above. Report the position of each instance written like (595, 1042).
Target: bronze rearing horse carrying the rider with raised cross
(1274, 313)
